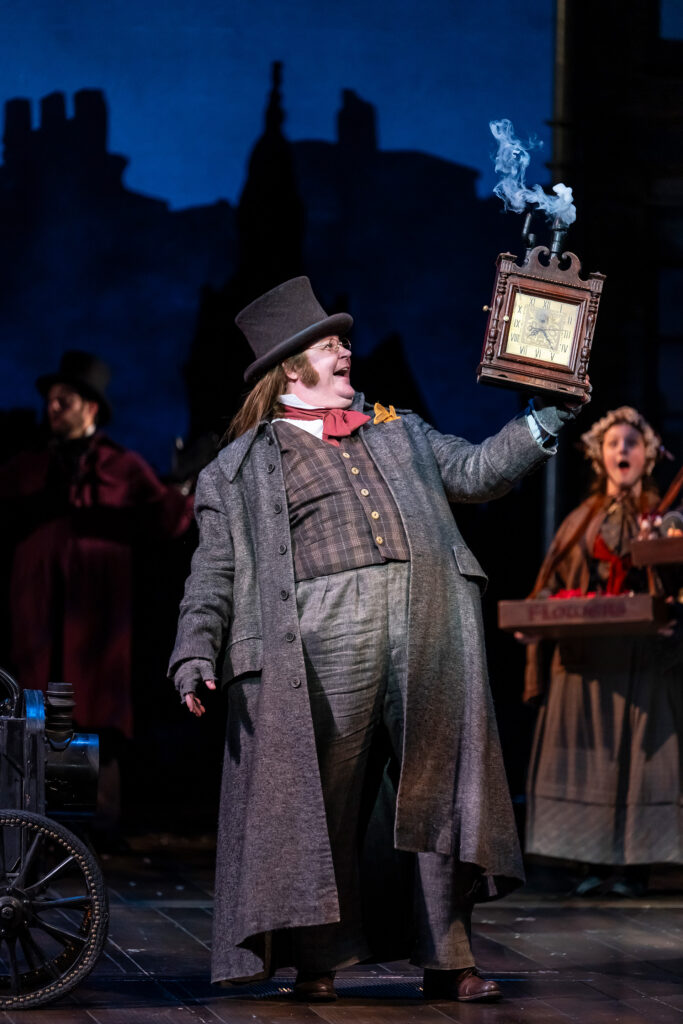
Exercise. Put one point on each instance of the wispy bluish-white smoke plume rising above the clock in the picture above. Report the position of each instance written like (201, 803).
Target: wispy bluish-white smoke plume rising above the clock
(511, 162)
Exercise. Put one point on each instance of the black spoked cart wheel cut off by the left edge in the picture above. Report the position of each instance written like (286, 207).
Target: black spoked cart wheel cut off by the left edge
(54, 911)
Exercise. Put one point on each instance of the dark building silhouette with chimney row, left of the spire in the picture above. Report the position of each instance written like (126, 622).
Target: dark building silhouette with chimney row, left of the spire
(86, 263)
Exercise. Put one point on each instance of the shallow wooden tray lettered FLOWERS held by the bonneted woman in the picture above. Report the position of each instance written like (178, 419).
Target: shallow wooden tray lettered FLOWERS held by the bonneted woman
(584, 616)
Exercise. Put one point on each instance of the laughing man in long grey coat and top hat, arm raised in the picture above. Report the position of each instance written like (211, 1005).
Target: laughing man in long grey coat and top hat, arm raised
(334, 593)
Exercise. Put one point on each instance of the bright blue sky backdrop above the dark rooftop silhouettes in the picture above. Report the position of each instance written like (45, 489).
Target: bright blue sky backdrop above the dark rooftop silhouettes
(186, 80)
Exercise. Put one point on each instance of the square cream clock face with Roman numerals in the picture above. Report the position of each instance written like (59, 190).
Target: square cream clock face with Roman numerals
(542, 328)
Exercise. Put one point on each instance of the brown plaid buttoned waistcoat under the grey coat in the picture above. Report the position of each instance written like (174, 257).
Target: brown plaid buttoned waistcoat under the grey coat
(343, 515)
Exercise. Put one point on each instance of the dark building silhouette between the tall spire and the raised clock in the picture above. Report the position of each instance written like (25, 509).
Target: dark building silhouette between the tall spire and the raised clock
(406, 238)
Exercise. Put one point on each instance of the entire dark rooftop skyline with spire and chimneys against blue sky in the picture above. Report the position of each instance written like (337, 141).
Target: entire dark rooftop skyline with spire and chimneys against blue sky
(400, 238)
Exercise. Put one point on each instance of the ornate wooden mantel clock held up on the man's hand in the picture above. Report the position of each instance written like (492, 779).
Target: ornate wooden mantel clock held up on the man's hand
(541, 324)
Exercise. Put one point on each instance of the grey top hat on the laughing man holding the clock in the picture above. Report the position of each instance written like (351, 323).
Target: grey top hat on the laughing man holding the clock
(283, 322)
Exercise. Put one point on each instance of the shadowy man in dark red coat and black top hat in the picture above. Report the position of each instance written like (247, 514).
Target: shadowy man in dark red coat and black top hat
(75, 509)
